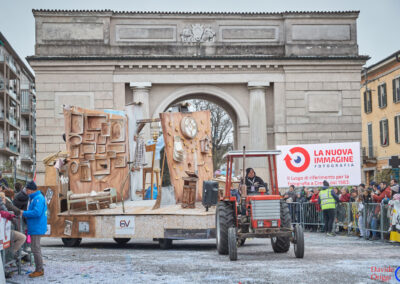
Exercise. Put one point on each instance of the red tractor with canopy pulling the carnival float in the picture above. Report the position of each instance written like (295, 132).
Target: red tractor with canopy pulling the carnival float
(257, 215)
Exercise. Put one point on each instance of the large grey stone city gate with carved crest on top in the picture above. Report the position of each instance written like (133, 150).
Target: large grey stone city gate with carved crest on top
(284, 78)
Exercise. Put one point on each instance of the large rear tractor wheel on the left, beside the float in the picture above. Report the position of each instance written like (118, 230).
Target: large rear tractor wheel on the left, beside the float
(224, 219)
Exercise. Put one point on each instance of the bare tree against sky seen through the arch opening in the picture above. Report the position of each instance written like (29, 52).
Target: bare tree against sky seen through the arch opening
(221, 129)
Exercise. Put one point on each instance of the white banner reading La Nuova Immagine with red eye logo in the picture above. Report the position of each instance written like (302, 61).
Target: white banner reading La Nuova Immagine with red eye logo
(311, 164)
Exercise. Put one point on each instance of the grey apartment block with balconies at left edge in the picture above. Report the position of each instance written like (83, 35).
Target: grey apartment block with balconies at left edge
(17, 114)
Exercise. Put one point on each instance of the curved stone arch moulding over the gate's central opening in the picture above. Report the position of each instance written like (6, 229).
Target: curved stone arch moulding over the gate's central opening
(213, 94)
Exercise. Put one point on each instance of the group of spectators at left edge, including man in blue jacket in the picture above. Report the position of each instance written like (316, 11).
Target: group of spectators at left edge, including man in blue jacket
(24, 207)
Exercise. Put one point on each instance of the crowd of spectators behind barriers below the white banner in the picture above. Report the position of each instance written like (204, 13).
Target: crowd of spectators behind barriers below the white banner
(327, 206)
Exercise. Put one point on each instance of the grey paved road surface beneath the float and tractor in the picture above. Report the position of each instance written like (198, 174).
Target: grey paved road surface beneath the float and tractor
(339, 259)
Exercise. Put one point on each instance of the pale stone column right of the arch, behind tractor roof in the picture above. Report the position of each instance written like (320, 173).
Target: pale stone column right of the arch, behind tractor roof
(258, 126)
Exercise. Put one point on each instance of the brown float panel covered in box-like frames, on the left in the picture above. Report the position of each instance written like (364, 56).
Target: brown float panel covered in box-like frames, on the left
(96, 161)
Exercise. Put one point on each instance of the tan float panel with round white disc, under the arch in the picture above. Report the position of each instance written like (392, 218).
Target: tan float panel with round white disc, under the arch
(190, 128)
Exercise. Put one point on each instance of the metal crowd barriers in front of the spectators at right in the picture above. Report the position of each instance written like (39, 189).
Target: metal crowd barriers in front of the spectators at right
(375, 218)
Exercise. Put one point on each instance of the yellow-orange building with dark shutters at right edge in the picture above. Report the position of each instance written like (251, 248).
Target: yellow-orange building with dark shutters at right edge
(380, 103)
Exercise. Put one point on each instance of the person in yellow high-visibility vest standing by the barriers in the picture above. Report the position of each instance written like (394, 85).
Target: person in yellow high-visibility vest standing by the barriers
(327, 199)
